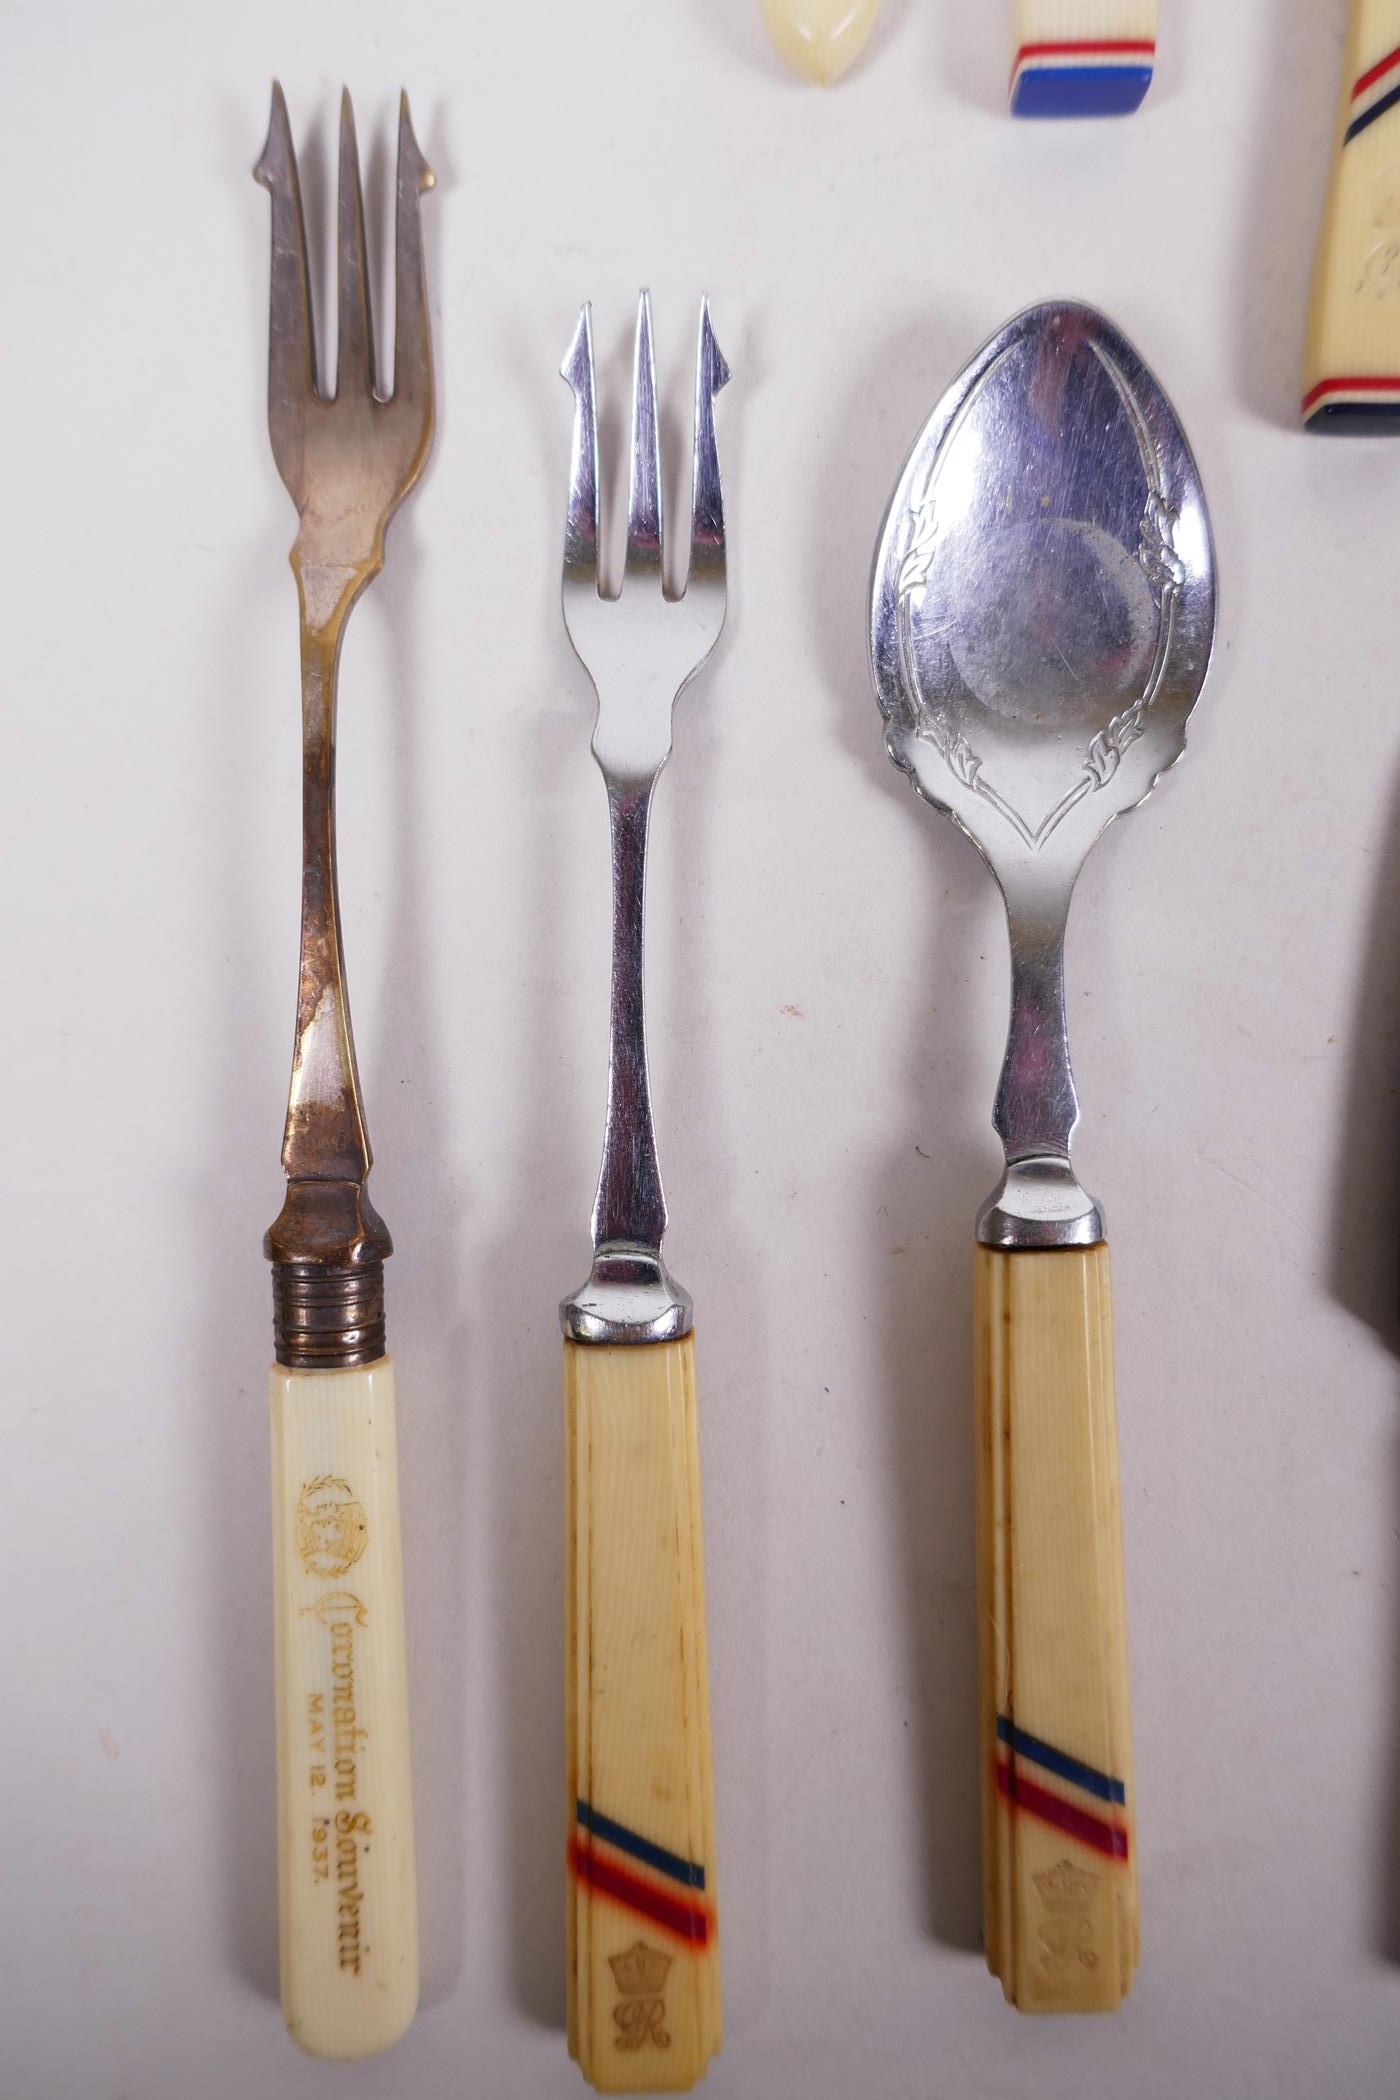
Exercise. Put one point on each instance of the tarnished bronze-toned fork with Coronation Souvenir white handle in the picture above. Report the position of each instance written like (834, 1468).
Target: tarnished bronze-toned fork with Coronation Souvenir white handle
(345, 1818)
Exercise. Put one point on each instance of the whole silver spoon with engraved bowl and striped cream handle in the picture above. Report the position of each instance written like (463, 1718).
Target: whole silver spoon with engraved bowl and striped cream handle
(1042, 621)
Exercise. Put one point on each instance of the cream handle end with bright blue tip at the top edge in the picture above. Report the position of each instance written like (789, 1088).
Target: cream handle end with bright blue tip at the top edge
(1082, 58)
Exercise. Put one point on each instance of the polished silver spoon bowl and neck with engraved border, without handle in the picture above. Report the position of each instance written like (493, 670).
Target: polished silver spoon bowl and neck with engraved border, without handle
(1042, 623)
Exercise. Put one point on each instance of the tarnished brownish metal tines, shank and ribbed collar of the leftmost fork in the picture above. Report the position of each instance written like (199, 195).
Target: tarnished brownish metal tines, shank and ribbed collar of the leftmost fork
(349, 461)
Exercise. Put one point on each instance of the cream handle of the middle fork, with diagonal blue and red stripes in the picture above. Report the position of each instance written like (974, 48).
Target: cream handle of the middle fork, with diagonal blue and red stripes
(643, 1965)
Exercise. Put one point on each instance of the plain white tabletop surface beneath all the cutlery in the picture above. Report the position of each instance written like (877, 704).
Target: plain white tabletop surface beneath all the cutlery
(828, 999)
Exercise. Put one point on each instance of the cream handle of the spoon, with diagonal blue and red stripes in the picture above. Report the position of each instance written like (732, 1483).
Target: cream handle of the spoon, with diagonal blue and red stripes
(1059, 1851)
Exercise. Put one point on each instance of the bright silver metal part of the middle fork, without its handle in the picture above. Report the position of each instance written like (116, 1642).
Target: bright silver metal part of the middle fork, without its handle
(641, 650)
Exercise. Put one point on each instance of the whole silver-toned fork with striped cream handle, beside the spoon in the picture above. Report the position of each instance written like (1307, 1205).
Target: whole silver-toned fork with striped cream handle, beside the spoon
(639, 1786)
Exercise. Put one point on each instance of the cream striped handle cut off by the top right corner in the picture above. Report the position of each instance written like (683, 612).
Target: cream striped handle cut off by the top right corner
(1353, 358)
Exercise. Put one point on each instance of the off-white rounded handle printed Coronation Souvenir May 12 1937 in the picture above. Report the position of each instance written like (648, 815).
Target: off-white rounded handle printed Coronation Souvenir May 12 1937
(345, 1811)
